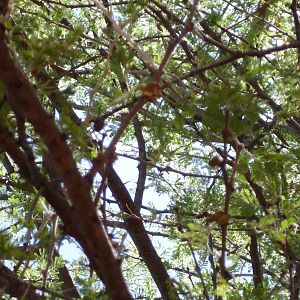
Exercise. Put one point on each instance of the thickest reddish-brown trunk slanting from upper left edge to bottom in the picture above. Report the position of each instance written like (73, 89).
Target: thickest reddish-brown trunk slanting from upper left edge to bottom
(85, 225)
